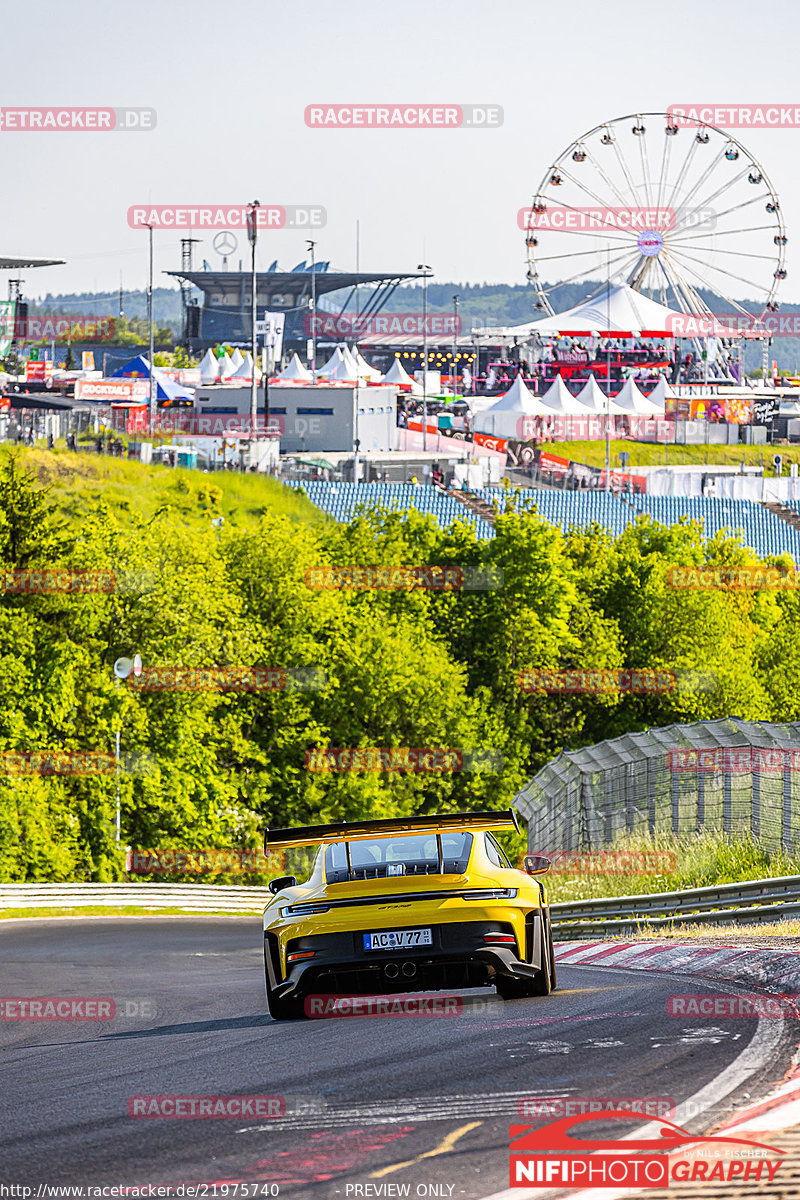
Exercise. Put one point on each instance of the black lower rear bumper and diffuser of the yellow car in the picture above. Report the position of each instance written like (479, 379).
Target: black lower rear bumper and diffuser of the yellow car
(459, 958)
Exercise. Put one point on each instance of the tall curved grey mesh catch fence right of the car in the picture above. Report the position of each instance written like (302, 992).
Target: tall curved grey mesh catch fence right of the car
(732, 777)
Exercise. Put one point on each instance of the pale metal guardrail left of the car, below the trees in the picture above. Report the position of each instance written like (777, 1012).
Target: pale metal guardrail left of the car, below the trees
(189, 897)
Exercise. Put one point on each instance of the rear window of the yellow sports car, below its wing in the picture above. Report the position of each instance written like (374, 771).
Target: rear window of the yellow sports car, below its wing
(390, 857)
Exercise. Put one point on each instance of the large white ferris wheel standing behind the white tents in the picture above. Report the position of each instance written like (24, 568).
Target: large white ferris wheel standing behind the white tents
(677, 209)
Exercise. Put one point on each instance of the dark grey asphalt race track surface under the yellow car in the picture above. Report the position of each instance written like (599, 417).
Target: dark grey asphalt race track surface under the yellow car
(372, 1105)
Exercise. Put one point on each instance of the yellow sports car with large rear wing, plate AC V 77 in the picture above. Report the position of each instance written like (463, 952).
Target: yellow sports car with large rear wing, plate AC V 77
(408, 904)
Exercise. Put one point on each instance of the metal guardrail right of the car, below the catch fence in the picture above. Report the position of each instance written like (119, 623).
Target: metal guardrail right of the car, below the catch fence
(751, 903)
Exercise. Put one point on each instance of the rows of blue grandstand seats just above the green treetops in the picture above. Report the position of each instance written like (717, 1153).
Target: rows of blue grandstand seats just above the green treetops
(759, 529)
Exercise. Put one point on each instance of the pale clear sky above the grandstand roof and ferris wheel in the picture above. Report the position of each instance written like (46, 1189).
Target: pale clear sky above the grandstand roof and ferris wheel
(231, 83)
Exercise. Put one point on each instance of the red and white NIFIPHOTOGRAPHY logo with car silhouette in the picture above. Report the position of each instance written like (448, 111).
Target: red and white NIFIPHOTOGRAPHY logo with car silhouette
(549, 1157)
